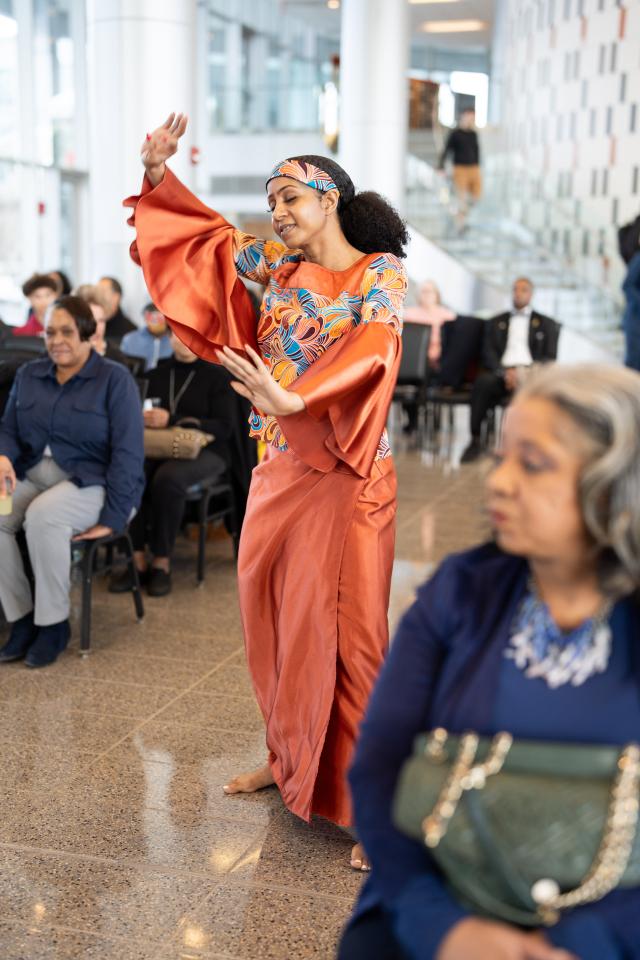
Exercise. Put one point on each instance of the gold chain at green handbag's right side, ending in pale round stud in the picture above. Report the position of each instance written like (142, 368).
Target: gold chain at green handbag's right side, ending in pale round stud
(614, 852)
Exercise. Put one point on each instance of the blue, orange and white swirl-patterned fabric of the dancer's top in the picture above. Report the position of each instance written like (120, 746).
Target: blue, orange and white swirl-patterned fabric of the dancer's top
(297, 325)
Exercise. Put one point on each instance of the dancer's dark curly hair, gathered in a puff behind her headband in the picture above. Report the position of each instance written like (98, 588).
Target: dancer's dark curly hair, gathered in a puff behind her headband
(368, 221)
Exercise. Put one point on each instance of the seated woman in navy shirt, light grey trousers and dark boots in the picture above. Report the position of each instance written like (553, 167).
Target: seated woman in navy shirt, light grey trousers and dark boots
(71, 454)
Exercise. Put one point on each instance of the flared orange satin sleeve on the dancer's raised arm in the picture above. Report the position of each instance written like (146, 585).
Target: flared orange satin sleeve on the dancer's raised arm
(187, 254)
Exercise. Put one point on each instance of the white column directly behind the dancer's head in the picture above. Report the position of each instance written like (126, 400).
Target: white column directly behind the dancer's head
(374, 95)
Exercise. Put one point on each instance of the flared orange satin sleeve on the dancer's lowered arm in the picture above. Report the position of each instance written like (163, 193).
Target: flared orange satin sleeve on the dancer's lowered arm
(347, 393)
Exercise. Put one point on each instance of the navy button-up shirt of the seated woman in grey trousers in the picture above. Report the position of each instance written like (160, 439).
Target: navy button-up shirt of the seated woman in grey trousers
(92, 423)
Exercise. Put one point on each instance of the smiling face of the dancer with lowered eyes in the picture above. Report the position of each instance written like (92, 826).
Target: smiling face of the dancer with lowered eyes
(298, 212)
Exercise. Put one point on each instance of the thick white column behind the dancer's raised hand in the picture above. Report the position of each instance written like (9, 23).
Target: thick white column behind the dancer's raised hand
(140, 65)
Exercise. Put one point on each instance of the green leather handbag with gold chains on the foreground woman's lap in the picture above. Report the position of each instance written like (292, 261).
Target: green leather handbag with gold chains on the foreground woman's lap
(523, 829)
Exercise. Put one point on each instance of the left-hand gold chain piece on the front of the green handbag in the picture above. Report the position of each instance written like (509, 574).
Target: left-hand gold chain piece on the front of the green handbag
(464, 775)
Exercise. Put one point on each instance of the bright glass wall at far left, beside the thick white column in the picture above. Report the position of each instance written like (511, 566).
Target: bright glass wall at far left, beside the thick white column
(43, 173)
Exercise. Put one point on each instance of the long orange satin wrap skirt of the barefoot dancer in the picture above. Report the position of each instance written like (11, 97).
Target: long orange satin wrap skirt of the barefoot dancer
(314, 573)
